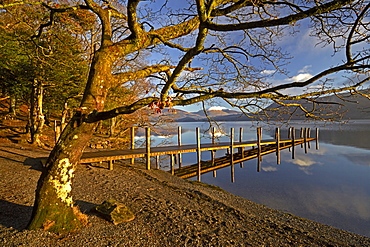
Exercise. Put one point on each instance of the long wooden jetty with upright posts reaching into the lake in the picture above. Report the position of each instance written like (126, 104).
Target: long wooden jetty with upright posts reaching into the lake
(262, 147)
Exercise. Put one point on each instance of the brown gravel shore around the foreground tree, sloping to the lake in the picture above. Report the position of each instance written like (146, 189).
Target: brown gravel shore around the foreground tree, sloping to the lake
(169, 211)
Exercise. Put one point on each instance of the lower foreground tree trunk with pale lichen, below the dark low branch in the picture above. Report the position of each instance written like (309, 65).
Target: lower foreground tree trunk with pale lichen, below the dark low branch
(54, 208)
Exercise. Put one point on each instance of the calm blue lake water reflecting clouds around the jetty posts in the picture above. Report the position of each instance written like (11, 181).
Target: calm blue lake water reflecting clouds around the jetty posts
(330, 185)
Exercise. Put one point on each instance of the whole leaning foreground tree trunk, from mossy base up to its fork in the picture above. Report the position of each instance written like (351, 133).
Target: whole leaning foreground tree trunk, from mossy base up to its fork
(54, 208)
